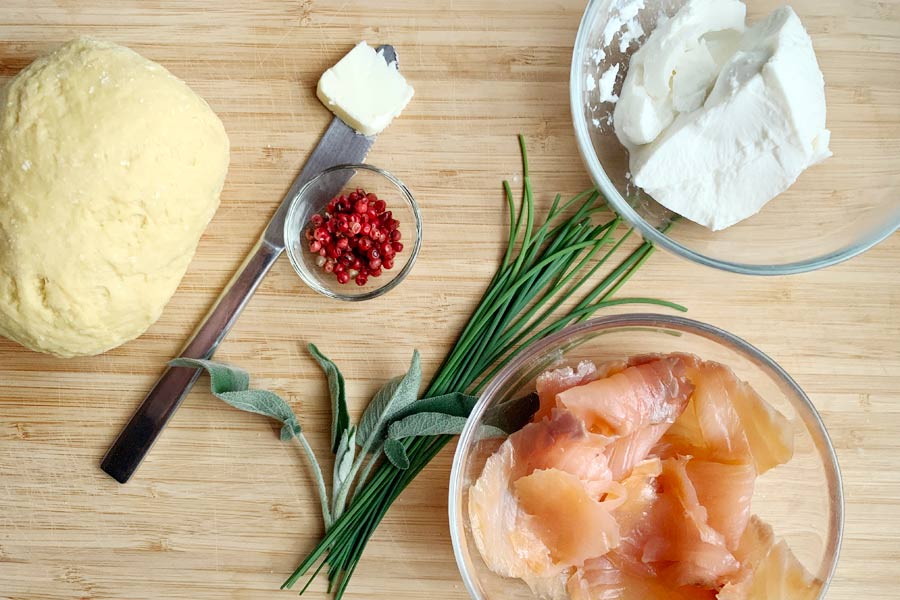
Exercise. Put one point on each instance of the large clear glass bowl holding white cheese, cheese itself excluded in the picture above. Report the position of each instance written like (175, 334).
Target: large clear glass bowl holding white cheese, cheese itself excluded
(836, 209)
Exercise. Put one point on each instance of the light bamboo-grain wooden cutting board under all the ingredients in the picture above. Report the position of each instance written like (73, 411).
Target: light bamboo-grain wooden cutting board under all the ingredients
(221, 509)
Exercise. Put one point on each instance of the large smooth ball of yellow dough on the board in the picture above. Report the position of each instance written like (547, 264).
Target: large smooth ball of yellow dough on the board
(110, 169)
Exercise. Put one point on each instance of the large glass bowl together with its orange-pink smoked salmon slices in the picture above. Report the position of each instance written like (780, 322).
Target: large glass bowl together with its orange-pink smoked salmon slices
(645, 457)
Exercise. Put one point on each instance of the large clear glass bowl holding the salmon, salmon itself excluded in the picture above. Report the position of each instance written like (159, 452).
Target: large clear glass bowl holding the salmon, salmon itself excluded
(801, 499)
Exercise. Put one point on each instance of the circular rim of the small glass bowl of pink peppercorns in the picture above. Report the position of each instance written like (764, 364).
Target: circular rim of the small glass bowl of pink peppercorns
(290, 235)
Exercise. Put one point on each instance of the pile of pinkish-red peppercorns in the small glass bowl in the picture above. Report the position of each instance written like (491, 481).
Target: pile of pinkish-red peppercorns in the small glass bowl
(356, 238)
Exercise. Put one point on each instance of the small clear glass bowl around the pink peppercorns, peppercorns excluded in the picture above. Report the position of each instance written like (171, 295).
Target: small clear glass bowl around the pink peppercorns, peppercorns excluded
(314, 197)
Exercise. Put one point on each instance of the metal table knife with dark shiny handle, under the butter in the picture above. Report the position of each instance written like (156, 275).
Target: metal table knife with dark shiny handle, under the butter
(339, 145)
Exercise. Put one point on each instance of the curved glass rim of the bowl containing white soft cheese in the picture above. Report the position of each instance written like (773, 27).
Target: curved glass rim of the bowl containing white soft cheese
(650, 233)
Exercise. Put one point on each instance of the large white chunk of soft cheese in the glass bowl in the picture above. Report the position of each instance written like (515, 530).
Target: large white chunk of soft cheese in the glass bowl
(718, 118)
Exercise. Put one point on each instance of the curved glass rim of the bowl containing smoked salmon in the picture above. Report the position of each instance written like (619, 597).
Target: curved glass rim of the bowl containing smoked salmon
(646, 320)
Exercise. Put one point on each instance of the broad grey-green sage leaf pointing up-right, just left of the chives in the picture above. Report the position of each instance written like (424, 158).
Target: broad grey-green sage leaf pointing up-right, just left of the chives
(393, 397)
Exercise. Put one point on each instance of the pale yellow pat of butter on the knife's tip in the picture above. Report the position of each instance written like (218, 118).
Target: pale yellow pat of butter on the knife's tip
(364, 91)
